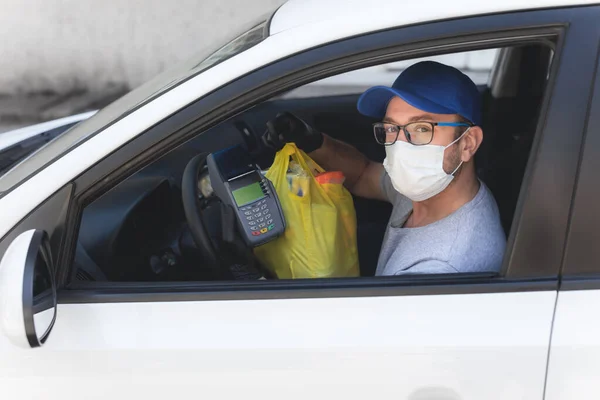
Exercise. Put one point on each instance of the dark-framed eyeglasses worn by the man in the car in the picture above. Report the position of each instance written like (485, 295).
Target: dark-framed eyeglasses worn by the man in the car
(417, 133)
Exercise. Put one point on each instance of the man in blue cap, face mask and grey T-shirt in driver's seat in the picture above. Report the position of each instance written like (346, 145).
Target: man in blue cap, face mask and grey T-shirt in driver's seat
(444, 218)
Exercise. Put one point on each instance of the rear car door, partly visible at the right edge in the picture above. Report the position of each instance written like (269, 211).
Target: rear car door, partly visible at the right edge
(574, 363)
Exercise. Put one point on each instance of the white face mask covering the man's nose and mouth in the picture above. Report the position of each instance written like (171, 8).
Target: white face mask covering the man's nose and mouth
(417, 172)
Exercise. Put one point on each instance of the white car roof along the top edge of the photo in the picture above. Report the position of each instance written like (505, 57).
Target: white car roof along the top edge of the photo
(389, 13)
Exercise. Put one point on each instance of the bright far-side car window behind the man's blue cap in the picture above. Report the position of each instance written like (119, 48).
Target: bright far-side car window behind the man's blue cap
(477, 65)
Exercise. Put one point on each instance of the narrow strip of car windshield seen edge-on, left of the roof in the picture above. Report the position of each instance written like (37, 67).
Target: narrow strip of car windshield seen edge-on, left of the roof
(206, 58)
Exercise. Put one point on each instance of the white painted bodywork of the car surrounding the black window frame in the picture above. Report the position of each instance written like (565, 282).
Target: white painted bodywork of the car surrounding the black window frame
(529, 344)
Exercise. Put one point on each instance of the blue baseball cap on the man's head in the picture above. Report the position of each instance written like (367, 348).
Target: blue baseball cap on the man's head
(428, 86)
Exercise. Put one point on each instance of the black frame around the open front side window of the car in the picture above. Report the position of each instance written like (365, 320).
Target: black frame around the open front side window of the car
(479, 32)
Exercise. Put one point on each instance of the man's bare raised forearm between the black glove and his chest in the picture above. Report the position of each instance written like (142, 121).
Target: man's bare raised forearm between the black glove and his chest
(363, 176)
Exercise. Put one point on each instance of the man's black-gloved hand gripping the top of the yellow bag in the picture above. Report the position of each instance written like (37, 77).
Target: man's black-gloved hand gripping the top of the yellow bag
(286, 127)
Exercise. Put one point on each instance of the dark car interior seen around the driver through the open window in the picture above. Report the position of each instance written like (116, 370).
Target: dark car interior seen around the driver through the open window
(138, 231)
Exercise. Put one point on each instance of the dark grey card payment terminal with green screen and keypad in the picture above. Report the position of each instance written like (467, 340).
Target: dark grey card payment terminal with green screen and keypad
(238, 182)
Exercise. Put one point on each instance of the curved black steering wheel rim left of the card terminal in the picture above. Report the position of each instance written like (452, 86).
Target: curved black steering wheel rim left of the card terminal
(193, 211)
